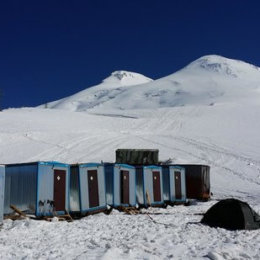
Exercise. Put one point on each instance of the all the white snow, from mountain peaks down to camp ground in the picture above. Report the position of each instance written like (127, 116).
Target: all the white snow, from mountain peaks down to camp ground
(207, 113)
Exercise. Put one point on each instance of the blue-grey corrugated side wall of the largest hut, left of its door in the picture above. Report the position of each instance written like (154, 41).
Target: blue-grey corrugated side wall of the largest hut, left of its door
(20, 188)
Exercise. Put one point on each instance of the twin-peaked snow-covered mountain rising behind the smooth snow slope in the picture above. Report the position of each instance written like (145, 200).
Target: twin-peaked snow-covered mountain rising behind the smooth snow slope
(206, 81)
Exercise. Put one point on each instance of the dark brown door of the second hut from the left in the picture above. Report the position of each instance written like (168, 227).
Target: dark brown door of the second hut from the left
(93, 188)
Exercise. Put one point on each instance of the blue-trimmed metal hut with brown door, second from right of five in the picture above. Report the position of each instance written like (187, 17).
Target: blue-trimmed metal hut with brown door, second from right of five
(149, 186)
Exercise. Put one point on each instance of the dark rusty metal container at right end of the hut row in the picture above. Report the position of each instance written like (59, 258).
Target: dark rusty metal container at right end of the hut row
(197, 181)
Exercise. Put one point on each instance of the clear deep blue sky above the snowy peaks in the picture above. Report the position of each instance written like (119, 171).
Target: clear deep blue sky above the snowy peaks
(51, 49)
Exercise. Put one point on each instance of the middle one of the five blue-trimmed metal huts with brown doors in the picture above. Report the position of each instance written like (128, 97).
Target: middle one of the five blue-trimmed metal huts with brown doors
(120, 185)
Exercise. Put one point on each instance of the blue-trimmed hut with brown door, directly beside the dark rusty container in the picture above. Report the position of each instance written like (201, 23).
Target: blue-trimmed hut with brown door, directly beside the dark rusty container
(174, 184)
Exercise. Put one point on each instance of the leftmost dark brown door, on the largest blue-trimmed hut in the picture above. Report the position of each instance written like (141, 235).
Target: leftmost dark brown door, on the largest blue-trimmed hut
(59, 190)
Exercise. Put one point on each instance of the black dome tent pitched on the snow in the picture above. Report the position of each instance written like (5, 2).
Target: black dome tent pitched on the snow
(231, 214)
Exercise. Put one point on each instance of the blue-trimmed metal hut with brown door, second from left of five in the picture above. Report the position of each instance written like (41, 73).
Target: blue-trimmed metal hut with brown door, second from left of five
(87, 188)
